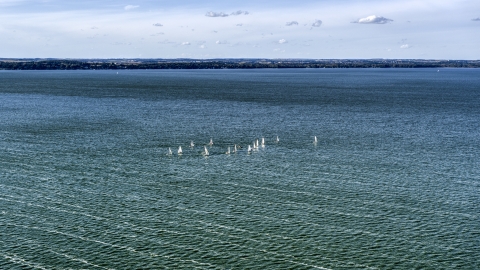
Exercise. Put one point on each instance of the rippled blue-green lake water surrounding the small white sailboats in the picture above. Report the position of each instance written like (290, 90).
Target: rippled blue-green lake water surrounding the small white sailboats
(392, 183)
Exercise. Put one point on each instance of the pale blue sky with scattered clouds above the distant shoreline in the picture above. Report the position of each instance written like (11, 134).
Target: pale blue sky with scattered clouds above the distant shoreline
(325, 29)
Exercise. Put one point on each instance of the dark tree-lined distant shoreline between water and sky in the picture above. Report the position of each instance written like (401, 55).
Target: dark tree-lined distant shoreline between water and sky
(122, 64)
